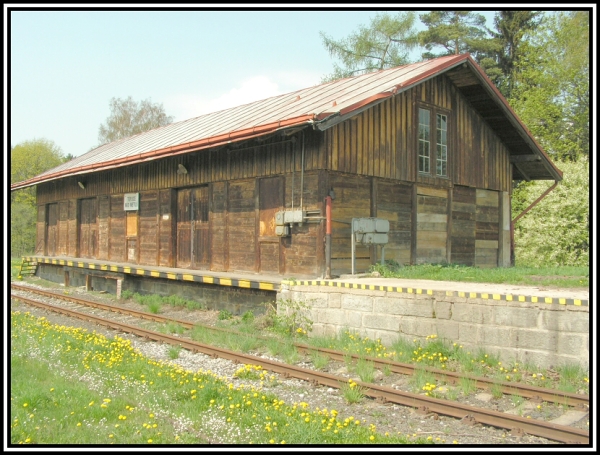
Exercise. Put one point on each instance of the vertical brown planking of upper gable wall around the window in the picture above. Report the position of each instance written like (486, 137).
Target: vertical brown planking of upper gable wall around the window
(381, 141)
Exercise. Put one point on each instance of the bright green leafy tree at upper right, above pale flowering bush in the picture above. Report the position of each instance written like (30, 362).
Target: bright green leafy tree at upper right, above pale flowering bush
(551, 85)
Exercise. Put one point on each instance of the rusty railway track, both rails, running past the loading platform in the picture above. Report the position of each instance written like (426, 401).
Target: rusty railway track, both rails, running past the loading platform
(423, 404)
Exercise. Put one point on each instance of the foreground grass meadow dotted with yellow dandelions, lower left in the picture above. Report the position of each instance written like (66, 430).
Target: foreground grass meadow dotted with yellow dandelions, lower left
(70, 386)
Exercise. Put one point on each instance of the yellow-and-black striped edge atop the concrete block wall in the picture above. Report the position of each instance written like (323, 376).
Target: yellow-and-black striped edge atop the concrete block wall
(470, 295)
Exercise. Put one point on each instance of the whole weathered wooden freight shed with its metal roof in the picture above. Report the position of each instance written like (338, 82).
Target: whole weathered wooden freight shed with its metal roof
(432, 147)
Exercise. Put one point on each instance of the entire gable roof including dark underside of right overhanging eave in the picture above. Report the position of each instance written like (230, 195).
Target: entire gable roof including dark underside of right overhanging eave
(321, 106)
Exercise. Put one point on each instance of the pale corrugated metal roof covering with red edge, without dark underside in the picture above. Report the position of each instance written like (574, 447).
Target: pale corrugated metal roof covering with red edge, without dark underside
(321, 105)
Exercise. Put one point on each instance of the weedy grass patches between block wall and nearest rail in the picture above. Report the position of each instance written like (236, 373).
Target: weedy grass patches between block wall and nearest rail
(431, 351)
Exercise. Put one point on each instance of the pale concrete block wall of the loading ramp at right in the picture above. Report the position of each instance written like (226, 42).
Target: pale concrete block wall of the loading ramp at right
(539, 334)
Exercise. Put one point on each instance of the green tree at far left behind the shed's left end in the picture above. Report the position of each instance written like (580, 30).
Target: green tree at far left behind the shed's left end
(28, 159)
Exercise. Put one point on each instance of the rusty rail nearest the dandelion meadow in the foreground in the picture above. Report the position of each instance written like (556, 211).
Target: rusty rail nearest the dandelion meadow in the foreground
(471, 415)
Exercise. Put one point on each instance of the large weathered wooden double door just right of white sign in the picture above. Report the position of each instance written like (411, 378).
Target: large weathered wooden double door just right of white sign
(192, 228)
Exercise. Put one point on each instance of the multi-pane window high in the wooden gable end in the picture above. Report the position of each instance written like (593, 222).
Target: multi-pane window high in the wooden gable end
(427, 154)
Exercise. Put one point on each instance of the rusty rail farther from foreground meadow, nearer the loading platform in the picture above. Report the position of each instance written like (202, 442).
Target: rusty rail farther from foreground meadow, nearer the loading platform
(537, 394)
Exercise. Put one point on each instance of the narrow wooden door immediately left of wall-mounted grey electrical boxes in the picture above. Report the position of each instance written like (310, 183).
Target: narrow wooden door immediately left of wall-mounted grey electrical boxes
(270, 202)
